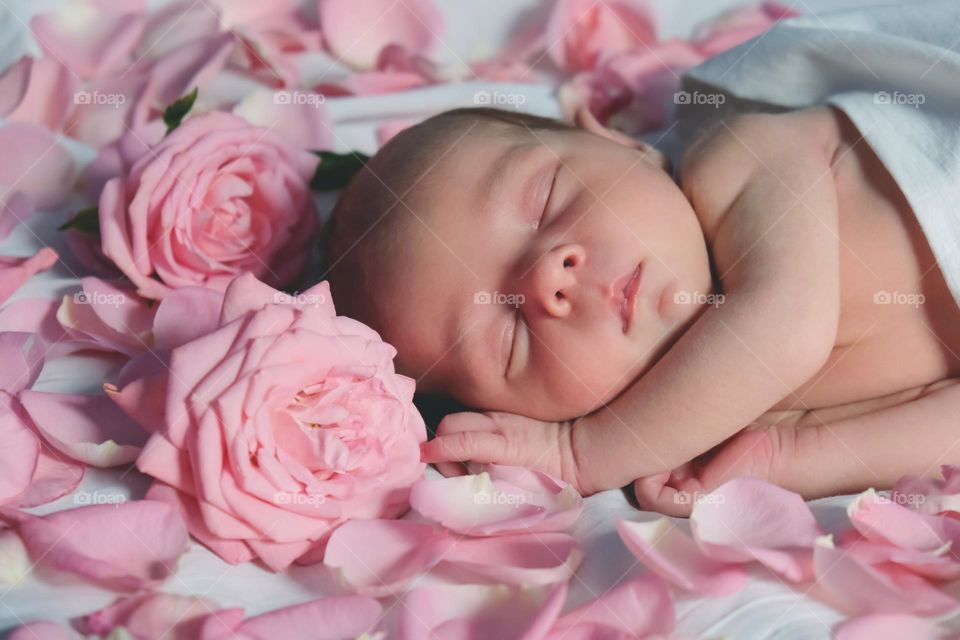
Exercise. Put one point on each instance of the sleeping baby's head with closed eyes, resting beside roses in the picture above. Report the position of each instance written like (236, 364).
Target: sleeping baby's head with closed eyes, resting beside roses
(493, 250)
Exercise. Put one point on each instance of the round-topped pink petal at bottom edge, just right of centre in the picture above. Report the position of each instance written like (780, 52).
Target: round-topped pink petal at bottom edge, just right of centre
(635, 608)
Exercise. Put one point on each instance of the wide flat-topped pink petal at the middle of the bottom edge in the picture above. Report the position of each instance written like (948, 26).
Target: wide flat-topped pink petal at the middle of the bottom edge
(478, 611)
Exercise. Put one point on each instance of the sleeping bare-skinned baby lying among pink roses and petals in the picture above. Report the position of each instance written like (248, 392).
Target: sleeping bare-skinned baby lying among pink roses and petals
(772, 307)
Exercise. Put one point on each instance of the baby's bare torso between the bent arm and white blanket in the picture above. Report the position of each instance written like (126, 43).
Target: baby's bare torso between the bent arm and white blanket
(898, 335)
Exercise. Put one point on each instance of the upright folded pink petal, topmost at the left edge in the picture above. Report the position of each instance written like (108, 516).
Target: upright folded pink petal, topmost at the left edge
(46, 99)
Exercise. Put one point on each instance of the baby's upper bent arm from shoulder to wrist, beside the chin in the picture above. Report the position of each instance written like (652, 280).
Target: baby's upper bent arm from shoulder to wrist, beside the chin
(764, 192)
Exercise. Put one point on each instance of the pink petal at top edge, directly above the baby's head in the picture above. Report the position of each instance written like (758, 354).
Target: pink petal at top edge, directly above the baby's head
(356, 31)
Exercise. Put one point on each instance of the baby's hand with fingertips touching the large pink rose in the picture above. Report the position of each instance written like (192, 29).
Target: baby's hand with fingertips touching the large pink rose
(504, 438)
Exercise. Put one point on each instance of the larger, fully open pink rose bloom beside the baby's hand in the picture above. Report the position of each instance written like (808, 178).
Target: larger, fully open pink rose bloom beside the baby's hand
(279, 424)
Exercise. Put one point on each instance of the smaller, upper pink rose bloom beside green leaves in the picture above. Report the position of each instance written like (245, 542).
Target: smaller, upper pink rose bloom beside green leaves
(215, 198)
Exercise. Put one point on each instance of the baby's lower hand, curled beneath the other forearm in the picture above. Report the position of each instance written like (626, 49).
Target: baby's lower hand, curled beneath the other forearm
(759, 451)
